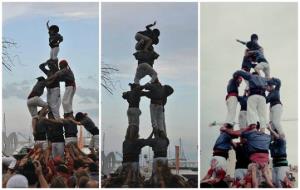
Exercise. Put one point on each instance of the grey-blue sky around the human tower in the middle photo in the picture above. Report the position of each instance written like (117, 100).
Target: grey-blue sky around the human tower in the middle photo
(176, 66)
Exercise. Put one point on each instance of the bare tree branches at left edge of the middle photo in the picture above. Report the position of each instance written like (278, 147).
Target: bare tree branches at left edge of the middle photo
(107, 81)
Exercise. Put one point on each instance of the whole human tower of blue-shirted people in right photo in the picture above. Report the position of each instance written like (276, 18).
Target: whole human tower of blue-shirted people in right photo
(253, 145)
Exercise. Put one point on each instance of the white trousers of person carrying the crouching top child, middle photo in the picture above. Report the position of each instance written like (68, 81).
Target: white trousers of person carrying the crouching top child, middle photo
(142, 70)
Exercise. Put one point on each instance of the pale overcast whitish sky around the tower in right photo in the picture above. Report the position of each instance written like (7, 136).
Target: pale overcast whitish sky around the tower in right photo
(221, 24)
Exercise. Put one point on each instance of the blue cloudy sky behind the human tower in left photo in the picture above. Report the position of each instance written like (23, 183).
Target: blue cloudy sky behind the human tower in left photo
(25, 24)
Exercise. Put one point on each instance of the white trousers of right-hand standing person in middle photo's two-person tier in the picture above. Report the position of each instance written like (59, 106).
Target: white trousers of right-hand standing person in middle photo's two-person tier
(157, 116)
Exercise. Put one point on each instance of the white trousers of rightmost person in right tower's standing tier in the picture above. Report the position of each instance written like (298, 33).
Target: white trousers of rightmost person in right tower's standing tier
(275, 118)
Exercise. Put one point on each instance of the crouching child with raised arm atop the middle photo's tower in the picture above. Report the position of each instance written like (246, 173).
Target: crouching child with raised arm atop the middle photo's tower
(147, 38)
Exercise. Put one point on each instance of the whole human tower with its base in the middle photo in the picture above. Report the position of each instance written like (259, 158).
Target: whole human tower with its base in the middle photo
(129, 174)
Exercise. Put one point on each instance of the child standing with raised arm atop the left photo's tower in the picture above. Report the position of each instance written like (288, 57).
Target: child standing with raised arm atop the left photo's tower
(54, 40)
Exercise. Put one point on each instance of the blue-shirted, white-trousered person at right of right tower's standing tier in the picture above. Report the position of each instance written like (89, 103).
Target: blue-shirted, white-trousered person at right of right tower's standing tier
(275, 104)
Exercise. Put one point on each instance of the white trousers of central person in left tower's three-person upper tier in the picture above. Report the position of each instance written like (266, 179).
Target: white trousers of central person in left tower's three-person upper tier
(54, 100)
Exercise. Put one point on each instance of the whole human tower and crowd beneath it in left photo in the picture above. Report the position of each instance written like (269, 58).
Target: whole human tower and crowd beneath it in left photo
(56, 160)
